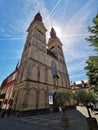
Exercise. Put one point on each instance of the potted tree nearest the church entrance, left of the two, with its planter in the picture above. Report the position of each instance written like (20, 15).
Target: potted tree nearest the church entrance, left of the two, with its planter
(62, 98)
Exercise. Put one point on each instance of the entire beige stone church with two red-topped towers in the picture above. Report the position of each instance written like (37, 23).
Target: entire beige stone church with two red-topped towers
(42, 70)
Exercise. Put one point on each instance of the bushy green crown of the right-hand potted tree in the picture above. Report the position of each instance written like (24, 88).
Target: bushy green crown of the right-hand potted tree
(84, 97)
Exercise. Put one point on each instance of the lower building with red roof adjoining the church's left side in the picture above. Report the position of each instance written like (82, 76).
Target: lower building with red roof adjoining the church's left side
(6, 91)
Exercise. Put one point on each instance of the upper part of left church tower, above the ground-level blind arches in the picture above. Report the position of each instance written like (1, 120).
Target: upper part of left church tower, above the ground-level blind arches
(34, 51)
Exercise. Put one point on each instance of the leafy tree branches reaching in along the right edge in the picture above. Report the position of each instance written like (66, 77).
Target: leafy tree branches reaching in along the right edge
(92, 62)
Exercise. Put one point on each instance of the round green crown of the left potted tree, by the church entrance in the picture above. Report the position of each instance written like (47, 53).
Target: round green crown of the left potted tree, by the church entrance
(62, 98)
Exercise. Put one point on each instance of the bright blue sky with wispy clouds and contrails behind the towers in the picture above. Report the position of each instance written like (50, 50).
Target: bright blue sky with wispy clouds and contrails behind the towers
(70, 19)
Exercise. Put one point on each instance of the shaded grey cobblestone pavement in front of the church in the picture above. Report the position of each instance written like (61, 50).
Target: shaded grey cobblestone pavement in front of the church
(77, 121)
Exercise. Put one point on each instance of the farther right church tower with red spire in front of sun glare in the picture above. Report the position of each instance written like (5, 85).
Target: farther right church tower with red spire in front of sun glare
(55, 46)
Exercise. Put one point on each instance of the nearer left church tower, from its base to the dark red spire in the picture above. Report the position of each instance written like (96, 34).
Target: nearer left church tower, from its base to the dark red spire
(31, 75)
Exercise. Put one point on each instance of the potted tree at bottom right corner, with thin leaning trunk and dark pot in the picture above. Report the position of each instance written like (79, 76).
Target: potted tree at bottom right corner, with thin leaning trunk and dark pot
(86, 98)
